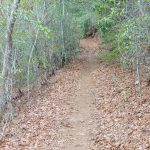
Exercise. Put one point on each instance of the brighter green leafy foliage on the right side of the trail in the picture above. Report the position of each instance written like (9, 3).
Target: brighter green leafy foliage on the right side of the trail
(124, 29)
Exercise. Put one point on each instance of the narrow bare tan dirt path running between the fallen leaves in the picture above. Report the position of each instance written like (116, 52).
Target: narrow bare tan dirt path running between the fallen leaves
(78, 123)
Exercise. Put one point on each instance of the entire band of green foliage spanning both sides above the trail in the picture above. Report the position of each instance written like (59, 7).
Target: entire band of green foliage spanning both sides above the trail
(51, 38)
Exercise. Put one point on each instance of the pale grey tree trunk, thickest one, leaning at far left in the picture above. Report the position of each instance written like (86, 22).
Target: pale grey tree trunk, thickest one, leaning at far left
(7, 53)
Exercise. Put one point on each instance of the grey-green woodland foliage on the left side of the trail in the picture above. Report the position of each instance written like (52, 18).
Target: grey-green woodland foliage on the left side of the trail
(44, 38)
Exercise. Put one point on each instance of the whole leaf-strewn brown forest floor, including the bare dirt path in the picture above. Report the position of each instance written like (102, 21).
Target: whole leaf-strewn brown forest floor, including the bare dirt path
(87, 105)
